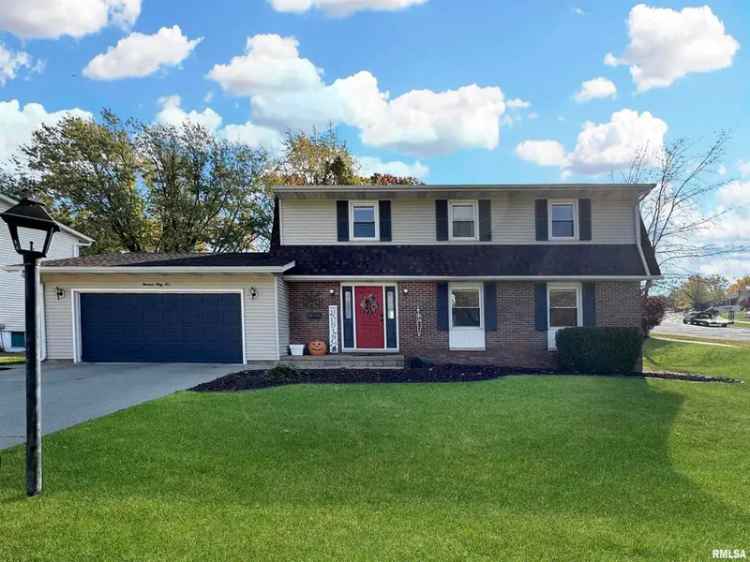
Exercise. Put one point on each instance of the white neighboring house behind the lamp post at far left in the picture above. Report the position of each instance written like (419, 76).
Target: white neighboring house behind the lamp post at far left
(65, 244)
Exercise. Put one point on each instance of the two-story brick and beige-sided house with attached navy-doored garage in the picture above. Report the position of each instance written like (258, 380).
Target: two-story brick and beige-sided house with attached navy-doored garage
(471, 274)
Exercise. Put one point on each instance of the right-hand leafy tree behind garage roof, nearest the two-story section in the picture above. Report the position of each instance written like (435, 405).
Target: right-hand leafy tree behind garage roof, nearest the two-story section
(203, 193)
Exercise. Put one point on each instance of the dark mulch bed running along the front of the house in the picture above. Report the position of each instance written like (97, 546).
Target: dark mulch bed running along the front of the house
(251, 380)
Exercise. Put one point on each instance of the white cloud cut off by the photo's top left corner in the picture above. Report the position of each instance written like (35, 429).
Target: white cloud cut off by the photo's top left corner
(50, 19)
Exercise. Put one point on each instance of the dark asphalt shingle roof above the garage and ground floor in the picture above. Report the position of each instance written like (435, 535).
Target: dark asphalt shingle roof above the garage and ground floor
(395, 260)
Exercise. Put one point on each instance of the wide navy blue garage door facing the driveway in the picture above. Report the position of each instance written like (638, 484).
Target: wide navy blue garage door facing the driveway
(165, 327)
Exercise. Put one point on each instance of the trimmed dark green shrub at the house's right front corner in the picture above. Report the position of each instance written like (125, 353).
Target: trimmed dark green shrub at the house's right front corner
(599, 350)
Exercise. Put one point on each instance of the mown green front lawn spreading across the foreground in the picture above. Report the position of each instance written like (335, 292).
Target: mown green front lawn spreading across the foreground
(520, 468)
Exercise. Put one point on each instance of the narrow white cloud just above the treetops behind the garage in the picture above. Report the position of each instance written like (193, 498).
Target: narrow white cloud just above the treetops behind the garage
(172, 113)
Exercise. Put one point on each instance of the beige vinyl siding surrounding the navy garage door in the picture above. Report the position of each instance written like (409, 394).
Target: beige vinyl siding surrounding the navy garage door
(260, 324)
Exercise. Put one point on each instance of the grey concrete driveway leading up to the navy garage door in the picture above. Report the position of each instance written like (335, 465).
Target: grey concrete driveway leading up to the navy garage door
(74, 394)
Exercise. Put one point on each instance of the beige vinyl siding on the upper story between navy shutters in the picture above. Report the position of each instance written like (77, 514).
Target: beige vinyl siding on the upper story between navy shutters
(313, 221)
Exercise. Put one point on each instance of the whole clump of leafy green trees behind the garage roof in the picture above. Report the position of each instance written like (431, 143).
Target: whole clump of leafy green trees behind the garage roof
(136, 187)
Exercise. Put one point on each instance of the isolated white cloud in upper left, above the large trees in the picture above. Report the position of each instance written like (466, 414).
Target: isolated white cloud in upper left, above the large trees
(139, 55)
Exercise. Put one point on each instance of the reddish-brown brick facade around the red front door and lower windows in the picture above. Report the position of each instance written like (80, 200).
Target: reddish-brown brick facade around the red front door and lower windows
(516, 342)
